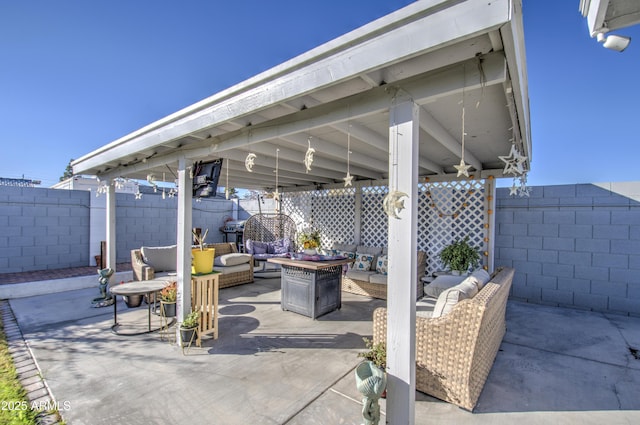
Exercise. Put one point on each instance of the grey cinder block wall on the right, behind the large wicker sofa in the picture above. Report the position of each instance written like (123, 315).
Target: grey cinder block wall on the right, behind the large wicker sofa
(571, 245)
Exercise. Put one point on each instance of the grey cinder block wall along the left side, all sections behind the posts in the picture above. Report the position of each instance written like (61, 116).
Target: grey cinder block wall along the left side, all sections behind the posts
(42, 229)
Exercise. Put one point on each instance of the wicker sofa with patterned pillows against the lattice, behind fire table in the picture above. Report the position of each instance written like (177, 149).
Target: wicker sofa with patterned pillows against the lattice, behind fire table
(374, 284)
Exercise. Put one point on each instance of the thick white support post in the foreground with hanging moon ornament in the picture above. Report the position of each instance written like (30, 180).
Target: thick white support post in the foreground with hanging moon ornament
(401, 302)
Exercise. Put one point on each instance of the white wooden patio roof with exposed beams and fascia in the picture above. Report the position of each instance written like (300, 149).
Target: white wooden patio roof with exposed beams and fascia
(432, 52)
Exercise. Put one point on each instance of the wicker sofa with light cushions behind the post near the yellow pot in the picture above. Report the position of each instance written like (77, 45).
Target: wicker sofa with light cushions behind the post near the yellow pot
(231, 275)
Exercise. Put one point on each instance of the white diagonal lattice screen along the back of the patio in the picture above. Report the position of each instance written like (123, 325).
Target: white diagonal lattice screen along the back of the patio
(447, 211)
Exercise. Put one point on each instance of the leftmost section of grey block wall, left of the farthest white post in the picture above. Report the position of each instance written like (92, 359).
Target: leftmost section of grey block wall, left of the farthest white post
(42, 229)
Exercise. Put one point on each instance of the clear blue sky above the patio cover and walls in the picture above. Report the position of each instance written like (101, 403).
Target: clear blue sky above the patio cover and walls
(76, 75)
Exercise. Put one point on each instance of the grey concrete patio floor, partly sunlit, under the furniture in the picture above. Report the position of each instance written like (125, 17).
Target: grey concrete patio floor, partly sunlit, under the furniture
(268, 366)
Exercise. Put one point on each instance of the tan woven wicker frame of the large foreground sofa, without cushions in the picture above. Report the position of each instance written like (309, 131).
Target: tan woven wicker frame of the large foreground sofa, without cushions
(455, 352)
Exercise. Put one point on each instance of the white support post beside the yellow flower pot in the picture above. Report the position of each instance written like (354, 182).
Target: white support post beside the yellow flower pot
(183, 304)
